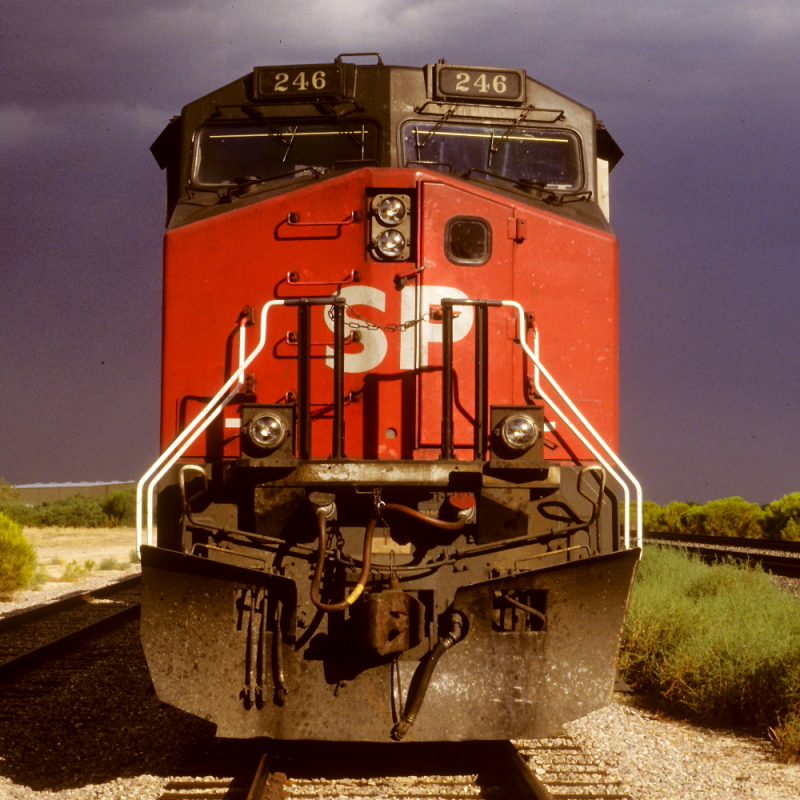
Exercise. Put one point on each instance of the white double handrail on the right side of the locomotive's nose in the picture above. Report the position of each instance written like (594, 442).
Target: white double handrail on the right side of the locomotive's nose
(599, 439)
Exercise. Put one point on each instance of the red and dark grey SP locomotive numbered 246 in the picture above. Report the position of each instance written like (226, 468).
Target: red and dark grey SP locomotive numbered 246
(389, 505)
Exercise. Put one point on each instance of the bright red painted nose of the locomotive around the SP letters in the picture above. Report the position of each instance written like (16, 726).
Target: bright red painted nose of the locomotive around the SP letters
(562, 271)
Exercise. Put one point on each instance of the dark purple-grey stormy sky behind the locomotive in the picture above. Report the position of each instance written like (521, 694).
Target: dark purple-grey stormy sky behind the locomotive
(703, 99)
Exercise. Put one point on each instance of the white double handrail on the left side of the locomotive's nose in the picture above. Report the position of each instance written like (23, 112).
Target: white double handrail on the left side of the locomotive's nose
(192, 431)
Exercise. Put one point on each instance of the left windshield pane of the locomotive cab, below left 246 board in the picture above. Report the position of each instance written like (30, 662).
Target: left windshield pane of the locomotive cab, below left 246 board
(238, 152)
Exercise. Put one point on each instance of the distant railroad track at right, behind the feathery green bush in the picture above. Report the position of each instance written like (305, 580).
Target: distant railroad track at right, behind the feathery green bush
(775, 556)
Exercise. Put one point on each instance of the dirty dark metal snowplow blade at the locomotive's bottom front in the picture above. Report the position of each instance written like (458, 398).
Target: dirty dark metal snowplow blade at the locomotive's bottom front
(209, 638)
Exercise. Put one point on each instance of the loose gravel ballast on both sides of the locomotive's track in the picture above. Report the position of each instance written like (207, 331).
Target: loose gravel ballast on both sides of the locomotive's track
(103, 735)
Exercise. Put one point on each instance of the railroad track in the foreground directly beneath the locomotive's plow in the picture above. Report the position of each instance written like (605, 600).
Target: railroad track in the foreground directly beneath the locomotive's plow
(488, 770)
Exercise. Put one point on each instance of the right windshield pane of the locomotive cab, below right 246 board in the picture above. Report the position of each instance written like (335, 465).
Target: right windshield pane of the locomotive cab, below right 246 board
(548, 156)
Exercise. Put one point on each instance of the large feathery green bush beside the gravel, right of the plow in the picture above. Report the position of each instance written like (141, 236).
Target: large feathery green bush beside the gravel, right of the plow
(719, 644)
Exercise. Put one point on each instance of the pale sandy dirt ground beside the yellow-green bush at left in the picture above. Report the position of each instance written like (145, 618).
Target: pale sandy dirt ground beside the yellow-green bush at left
(63, 556)
